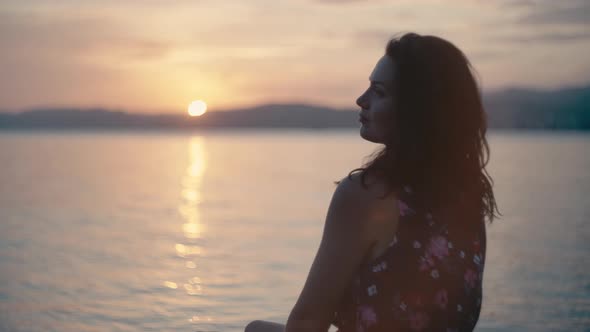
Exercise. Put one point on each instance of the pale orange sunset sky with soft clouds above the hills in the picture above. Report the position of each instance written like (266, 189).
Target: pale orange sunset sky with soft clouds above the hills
(156, 56)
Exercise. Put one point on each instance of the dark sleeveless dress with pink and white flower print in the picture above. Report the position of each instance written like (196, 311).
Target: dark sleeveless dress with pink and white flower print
(429, 279)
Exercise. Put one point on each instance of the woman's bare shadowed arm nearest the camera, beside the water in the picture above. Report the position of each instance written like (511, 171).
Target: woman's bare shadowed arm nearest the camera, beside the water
(350, 230)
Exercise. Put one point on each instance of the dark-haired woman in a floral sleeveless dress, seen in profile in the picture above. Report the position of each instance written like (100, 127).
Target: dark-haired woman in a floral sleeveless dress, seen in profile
(404, 241)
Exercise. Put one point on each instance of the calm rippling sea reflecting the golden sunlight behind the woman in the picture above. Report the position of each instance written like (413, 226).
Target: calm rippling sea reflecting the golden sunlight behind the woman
(207, 230)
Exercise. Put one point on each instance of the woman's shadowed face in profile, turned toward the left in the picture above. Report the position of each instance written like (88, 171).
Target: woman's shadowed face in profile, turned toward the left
(377, 103)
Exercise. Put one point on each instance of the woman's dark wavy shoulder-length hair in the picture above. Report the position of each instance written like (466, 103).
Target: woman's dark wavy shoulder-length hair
(438, 144)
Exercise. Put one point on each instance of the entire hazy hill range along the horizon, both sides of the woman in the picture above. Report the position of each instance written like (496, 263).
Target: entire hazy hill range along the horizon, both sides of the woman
(512, 108)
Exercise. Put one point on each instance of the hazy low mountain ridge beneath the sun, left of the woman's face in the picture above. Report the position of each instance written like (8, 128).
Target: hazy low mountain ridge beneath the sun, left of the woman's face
(271, 115)
